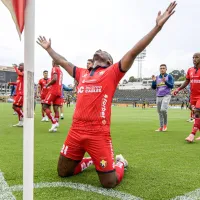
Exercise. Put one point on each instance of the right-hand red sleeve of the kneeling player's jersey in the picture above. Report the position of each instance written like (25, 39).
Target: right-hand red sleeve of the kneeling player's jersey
(116, 72)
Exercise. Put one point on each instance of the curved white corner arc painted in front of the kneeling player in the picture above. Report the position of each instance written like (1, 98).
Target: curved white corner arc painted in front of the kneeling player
(83, 187)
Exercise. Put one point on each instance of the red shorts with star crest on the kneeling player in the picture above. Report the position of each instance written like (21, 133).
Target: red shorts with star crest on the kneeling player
(97, 145)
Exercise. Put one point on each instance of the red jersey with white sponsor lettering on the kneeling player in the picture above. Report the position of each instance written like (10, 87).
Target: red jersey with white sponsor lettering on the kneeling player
(95, 91)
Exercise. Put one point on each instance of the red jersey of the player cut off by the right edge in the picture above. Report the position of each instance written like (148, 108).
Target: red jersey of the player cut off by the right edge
(193, 74)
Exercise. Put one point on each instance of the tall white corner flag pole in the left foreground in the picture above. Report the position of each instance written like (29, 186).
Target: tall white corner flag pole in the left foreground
(28, 130)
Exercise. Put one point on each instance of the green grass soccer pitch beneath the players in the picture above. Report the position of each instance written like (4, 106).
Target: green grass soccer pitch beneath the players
(161, 164)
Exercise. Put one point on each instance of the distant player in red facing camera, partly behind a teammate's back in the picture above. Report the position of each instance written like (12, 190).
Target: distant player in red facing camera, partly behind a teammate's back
(43, 90)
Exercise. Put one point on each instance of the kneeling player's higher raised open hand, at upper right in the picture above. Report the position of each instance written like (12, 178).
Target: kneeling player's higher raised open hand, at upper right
(162, 18)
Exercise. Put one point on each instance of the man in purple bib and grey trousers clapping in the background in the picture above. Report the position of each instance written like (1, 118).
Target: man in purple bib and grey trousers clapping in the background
(163, 85)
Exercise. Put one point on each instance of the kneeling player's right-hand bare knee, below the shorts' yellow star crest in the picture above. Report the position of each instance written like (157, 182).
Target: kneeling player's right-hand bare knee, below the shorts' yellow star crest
(108, 180)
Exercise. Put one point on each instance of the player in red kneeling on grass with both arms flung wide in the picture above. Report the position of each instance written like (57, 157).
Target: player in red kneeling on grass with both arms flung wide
(90, 130)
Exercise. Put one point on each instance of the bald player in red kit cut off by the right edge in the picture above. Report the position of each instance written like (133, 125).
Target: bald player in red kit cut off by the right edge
(193, 77)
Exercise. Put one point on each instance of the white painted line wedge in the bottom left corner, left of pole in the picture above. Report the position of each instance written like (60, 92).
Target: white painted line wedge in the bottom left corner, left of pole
(5, 192)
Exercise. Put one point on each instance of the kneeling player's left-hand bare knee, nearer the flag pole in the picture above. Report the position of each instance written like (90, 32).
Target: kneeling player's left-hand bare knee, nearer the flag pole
(66, 166)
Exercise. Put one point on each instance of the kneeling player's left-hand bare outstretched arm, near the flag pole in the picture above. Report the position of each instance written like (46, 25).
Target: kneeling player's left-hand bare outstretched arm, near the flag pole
(59, 60)
